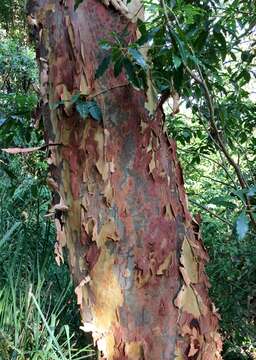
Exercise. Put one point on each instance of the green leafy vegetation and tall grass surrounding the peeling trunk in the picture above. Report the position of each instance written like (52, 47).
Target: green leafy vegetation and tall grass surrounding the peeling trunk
(202, 56)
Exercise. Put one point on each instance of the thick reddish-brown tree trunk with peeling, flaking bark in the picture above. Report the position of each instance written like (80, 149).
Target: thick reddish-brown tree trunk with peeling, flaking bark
(120, 208)
